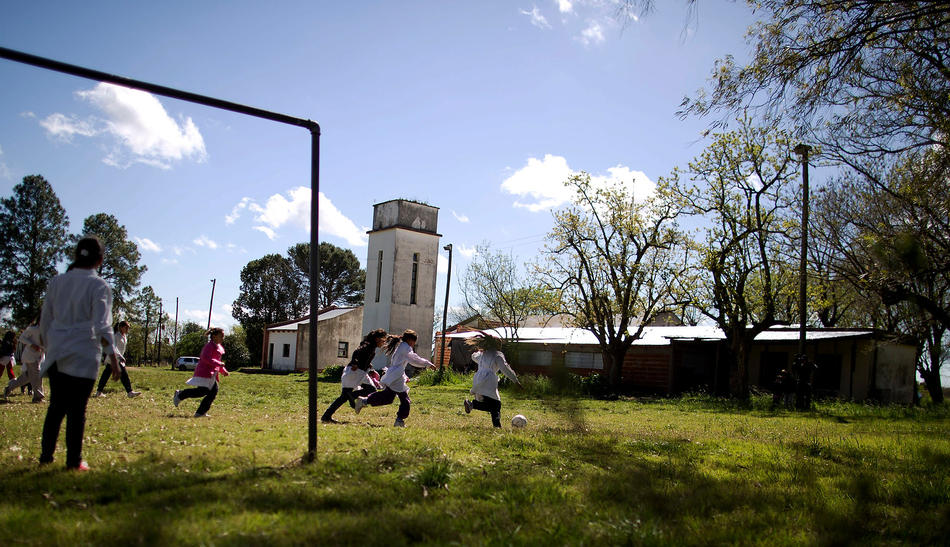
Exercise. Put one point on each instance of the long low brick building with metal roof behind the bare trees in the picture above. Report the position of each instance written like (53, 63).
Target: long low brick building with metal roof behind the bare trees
(854, 364)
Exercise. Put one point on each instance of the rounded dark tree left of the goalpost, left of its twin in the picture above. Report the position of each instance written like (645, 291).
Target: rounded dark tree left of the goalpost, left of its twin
(269, 293)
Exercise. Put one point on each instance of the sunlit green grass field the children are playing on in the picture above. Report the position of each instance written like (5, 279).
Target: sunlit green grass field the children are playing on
(696, 470)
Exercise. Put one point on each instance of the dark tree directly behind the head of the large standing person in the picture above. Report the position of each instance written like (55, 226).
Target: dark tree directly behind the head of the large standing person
(120, 267)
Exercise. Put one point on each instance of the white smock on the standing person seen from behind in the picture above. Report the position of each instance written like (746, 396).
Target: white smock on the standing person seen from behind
(77, 316)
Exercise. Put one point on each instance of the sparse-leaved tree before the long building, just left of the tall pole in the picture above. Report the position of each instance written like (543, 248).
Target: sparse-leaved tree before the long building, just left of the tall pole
(744, 186)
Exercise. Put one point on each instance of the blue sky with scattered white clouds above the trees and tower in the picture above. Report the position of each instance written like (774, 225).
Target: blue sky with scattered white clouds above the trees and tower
(479, 108)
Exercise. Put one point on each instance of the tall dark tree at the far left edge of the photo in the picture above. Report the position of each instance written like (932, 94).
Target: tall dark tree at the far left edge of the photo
(33, 229)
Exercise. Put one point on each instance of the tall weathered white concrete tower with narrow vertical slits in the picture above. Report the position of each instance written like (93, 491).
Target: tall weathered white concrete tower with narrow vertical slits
(401, 266)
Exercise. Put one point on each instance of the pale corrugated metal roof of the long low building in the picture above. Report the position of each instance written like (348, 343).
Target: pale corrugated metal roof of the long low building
(658, 336)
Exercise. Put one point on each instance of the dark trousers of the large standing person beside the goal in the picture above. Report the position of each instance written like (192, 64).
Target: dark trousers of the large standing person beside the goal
(68, 398)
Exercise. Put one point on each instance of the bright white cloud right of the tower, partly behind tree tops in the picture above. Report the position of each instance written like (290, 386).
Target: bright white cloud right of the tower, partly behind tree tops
(542, 181)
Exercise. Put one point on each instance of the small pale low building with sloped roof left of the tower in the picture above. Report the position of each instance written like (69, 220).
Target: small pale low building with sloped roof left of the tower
(286, 345)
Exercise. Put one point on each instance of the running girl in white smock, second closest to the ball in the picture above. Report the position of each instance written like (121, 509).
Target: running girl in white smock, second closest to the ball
(401, 351)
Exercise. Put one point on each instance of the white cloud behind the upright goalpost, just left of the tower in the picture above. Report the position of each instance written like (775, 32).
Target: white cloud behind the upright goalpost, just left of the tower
(293, 209)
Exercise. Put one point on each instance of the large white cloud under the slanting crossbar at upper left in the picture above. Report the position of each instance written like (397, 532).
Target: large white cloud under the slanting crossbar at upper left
(137, 123)
